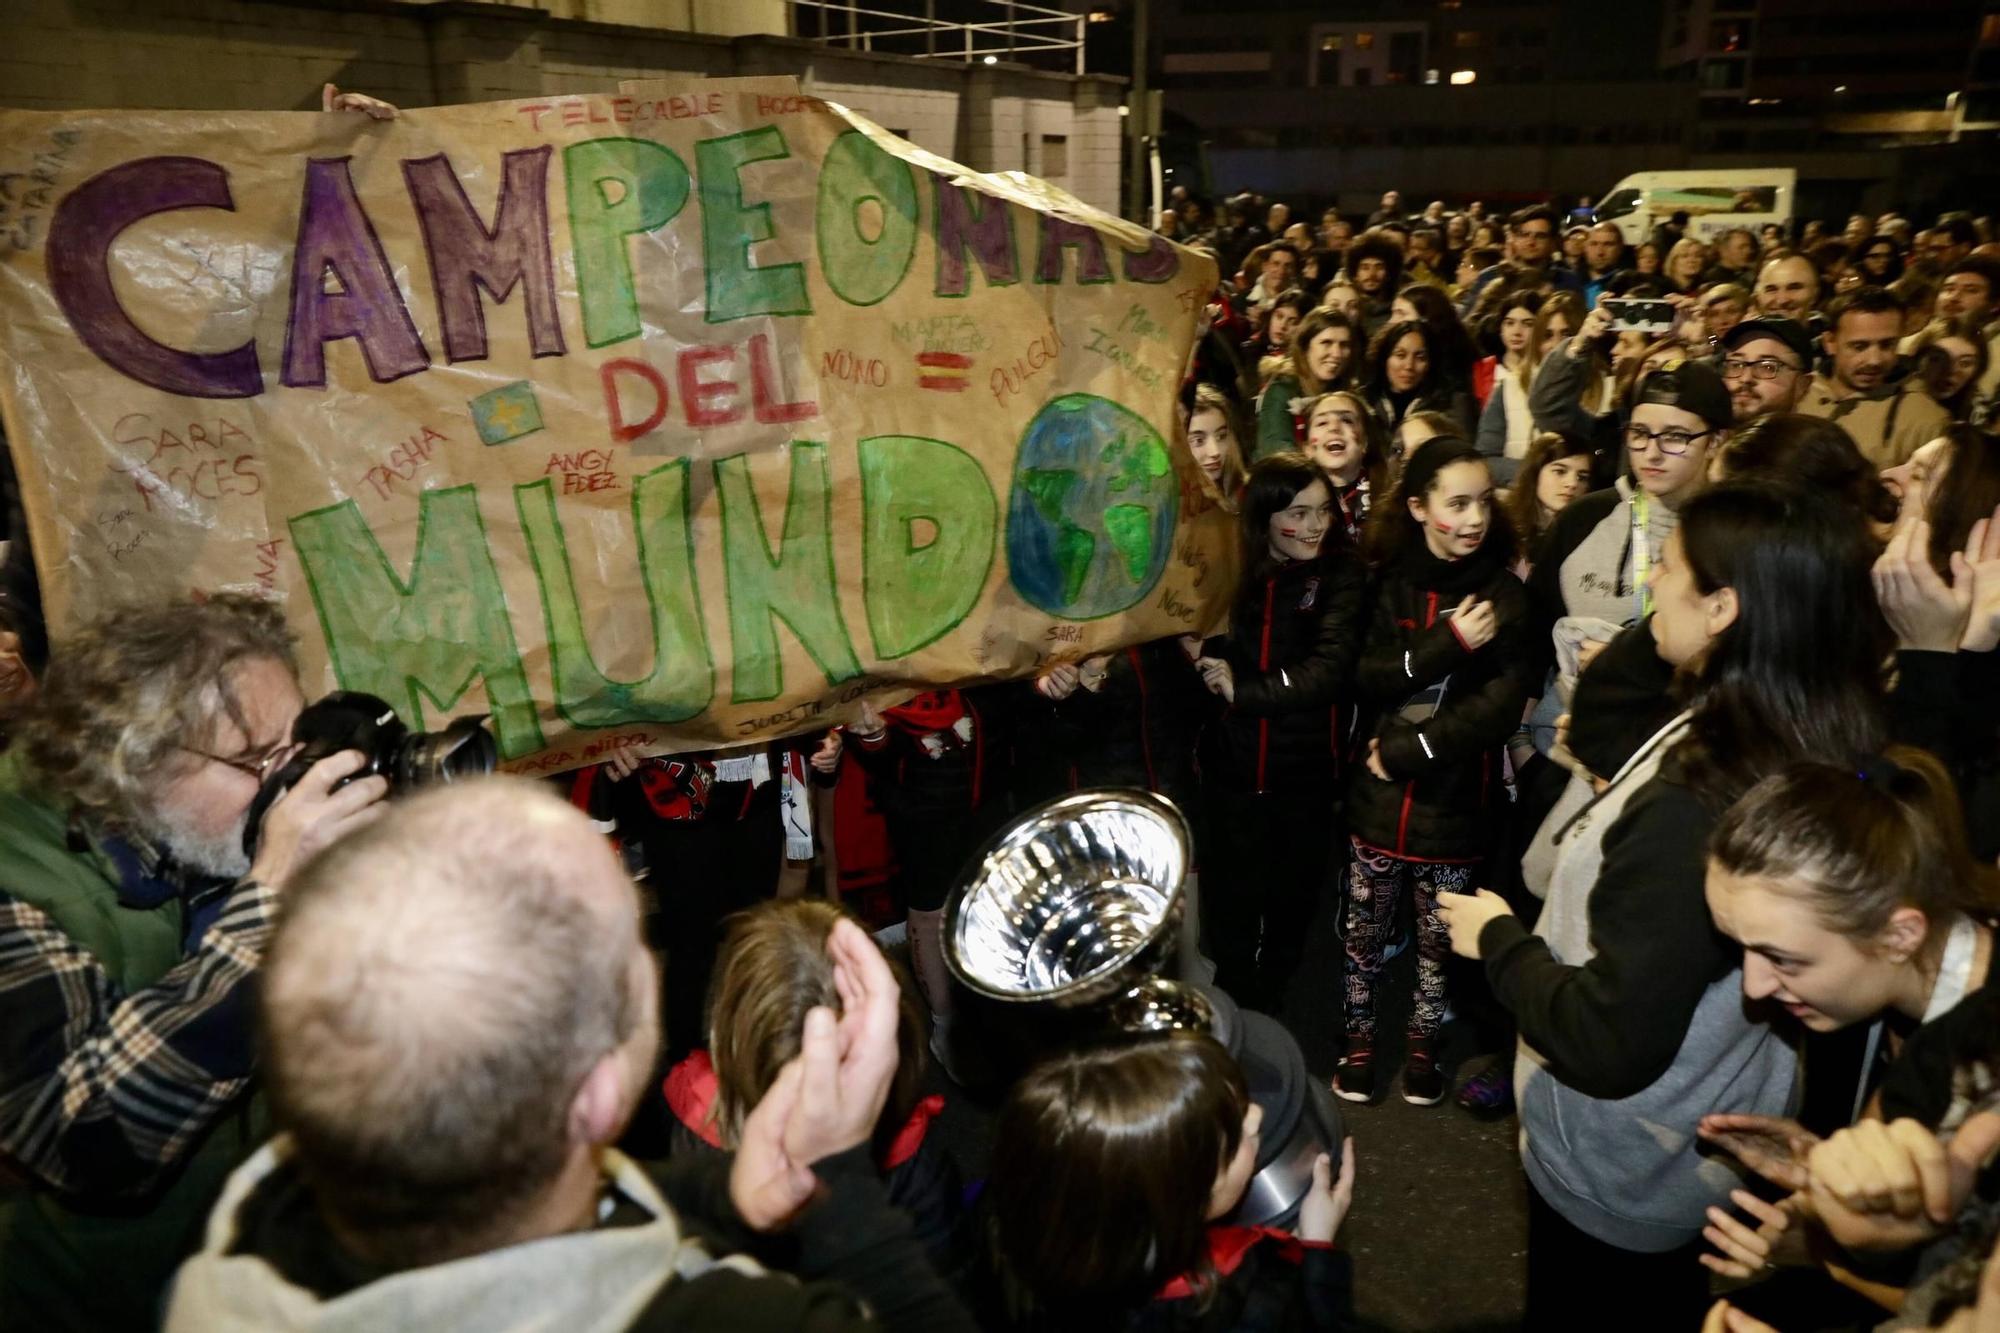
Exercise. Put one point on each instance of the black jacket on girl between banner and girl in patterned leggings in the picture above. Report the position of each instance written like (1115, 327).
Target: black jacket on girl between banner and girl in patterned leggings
(1293, 643)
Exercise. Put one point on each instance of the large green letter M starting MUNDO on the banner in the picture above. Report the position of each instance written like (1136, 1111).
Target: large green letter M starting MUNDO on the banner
(425, 639)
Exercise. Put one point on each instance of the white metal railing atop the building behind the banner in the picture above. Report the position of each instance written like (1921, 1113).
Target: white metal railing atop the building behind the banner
(1017, 31)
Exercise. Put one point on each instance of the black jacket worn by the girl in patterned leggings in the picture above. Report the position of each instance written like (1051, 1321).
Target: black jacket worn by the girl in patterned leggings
(1447, 786)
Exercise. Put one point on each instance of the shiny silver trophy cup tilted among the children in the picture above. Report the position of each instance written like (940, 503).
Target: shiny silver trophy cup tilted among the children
(1073, 910)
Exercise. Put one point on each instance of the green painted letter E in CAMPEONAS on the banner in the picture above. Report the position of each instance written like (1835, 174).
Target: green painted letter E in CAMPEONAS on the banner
(739, 289)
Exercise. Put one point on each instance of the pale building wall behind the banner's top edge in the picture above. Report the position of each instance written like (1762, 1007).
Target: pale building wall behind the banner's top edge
(273, 55)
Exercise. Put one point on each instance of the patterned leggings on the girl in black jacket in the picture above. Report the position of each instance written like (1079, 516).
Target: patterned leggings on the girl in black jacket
(1375, 886)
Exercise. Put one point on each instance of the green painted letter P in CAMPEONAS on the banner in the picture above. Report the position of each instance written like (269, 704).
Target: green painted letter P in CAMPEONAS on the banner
(619, 187)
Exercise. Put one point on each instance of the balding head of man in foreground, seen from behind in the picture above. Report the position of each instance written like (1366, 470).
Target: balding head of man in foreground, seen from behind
(439, 988)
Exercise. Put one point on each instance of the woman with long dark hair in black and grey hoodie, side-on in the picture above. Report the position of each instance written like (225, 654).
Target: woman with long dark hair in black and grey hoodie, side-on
(1629, 1004)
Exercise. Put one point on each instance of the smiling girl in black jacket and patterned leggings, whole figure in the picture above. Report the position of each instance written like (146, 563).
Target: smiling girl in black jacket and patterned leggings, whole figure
(1443, 682)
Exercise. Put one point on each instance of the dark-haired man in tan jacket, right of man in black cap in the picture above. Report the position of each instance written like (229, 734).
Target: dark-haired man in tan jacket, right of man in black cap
(1889, 421)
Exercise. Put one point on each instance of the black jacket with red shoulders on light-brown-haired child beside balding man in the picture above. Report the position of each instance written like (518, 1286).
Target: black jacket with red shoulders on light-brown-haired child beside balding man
(917, 1172)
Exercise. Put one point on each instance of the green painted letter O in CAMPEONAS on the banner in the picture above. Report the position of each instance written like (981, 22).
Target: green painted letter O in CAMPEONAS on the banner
(859, 267)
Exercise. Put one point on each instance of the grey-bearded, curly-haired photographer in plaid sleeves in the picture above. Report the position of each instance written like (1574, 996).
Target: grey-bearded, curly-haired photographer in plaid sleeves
(133, 924)
